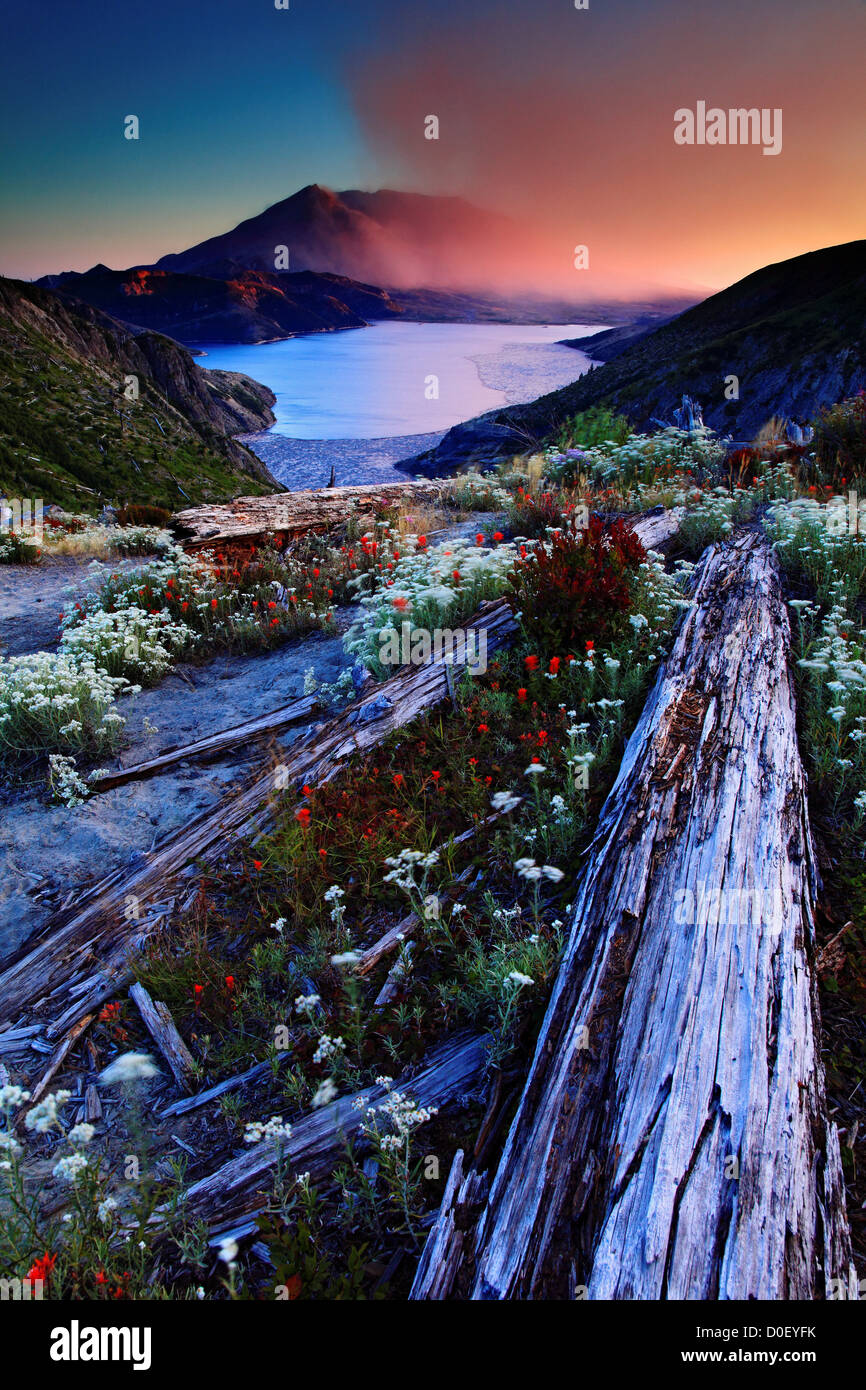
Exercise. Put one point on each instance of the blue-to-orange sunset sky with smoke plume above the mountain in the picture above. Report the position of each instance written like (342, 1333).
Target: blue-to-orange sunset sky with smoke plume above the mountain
(562, 119)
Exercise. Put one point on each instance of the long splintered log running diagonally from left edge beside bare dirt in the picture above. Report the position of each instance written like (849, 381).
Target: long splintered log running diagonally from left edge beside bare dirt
(84, 954)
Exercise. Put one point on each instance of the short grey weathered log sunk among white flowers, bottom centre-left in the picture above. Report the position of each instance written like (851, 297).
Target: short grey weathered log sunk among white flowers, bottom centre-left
(319, 1140)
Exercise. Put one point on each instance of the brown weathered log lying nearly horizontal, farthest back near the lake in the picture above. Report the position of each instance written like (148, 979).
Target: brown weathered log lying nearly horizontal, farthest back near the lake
(293, 514)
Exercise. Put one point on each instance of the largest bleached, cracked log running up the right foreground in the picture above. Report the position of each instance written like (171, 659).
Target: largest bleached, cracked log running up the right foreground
(672, 1139)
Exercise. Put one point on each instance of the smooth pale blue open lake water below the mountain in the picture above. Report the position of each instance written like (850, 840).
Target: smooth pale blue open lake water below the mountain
(375, 383)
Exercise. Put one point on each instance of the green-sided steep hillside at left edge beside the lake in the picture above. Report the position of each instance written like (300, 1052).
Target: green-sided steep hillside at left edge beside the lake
(70, 436)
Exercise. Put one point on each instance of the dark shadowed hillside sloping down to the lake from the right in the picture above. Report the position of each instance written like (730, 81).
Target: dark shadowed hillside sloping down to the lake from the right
(794, 334)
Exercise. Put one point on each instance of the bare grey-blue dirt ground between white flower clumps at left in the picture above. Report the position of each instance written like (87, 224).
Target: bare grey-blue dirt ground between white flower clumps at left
(49, 853)
